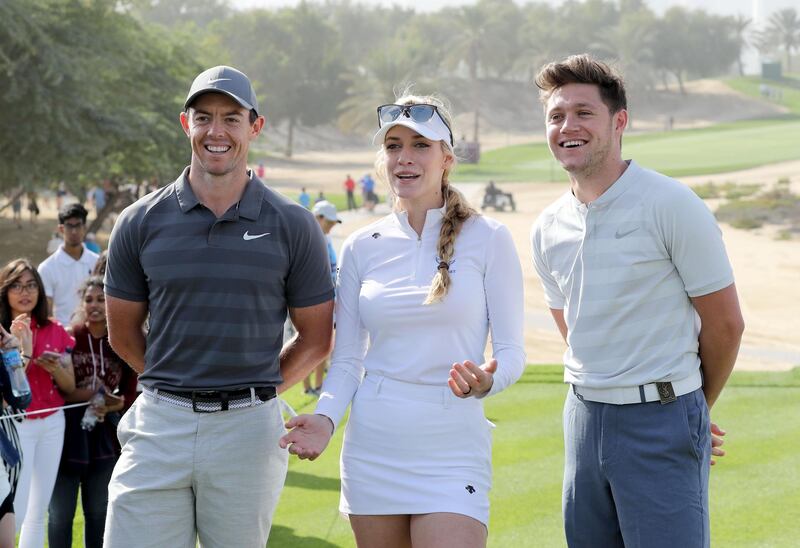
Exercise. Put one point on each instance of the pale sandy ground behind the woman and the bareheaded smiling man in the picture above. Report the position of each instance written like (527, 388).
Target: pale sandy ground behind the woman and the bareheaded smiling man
(767, 273)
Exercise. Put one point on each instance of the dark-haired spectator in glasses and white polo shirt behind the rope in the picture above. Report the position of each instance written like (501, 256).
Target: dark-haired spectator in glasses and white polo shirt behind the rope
(67, 268)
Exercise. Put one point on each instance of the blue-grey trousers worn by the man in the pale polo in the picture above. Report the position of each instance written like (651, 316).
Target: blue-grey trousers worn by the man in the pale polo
(637, 475)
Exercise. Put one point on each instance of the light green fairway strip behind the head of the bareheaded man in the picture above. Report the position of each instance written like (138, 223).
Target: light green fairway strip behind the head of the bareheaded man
(717, 149)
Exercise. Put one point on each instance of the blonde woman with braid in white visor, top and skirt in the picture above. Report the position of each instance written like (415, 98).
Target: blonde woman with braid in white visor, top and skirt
(418, 293)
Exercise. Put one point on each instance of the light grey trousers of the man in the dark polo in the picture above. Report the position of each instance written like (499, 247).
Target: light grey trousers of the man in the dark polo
(185, 475)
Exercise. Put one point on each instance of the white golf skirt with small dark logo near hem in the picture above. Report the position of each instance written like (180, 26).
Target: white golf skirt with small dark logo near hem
(415, 449)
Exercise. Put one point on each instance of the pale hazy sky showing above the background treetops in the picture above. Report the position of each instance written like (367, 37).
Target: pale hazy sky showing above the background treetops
(758, 10)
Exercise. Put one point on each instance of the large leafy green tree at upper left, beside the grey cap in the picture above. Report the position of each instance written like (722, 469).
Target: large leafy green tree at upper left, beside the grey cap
(88, 92)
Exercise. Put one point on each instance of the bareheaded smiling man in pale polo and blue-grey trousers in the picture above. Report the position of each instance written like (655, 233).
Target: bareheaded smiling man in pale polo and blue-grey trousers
(637, 279)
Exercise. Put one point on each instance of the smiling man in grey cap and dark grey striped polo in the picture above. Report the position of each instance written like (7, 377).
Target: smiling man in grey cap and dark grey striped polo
(215, 259)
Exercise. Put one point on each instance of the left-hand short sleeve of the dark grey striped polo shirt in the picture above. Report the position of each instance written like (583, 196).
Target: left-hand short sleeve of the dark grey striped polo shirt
(125, 277)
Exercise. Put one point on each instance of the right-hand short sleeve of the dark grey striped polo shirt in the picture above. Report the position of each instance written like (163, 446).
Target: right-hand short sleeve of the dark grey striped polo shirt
(309, 280)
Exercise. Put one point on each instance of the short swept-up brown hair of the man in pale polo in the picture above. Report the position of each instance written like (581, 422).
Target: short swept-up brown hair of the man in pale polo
(583, 69)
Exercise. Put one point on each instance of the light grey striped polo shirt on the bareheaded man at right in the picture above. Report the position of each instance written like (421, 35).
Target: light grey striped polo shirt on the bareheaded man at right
(623, 269)
